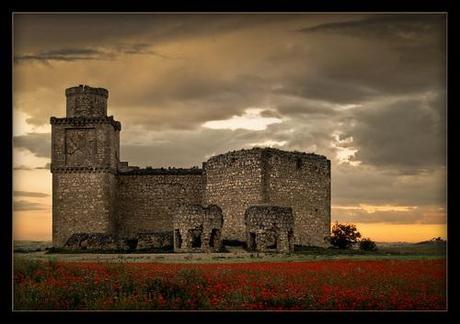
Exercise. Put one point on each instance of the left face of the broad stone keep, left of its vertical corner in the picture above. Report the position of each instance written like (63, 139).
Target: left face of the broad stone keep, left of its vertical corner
(234, 182)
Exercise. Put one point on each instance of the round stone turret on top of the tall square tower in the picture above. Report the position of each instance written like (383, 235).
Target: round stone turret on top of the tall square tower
(85, 101)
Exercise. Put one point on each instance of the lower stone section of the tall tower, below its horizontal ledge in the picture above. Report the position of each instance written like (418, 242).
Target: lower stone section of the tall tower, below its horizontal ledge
(83, 202)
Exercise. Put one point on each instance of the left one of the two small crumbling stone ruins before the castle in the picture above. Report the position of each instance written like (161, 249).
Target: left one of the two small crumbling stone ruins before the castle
(197, 228)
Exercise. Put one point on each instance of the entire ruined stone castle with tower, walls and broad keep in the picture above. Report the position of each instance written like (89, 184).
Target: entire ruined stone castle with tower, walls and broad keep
(97, 198)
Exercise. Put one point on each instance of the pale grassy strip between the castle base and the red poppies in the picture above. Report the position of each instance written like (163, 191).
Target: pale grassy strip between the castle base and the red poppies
(428, 250)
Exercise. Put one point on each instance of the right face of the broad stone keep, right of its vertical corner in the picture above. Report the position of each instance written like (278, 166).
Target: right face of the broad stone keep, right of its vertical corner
(301, 181)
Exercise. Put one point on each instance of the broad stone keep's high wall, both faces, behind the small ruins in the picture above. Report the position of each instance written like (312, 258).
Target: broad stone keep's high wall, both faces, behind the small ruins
(237, 180)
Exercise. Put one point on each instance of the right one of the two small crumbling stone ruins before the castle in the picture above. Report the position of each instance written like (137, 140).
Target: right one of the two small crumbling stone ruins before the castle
(269, 228)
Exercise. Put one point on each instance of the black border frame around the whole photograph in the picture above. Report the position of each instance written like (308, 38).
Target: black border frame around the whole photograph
(229, 6)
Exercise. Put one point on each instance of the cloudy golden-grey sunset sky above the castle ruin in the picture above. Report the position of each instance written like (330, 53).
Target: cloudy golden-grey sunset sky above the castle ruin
(366, 90)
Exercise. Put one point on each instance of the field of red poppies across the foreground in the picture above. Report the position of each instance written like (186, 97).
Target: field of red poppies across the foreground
(309, 285)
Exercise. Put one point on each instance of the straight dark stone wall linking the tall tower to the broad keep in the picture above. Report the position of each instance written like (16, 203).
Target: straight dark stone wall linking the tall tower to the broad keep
(147, 199)
